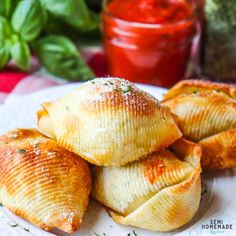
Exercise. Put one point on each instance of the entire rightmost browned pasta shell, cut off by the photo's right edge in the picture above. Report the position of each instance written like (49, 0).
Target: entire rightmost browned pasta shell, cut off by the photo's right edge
(207, 114)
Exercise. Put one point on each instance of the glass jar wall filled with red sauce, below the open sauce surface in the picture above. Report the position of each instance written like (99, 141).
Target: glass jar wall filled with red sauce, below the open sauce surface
(149, 53)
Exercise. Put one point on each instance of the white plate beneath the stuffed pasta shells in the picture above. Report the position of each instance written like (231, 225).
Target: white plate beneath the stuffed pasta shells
(218, 192)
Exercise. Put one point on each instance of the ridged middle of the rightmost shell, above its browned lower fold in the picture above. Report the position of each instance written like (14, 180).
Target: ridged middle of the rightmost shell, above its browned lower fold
(203, 114)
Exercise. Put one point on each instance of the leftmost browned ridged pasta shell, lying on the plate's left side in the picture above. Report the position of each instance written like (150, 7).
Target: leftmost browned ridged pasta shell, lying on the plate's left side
(42, 182)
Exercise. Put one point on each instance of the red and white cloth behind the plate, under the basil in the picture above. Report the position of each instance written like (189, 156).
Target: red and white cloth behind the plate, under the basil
(15, 82)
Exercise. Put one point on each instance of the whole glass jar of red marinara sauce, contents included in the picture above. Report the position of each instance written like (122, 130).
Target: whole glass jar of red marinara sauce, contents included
(148, 41)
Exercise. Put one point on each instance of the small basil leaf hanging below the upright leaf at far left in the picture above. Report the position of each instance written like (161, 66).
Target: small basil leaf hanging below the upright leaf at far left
(20, 54)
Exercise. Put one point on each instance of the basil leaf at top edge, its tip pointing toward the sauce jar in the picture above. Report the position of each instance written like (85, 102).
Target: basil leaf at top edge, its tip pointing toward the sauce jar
(73, 12)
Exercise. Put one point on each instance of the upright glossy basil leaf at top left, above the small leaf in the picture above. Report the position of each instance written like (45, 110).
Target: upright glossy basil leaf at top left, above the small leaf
(28, 19)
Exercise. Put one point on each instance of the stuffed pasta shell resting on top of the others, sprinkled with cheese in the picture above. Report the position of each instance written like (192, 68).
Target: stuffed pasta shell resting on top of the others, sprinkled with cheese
(109, 121)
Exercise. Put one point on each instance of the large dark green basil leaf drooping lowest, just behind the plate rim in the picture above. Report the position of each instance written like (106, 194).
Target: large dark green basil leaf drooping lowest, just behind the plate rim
(61, 58)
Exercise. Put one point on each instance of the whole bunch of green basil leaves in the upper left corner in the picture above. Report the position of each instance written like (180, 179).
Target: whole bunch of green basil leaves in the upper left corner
(25, 25)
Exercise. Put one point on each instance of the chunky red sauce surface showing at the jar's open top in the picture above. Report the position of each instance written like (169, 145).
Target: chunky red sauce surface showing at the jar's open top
(150, 11)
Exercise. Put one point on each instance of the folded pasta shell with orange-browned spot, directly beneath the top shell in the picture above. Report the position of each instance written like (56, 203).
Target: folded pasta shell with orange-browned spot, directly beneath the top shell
(159, 193)
